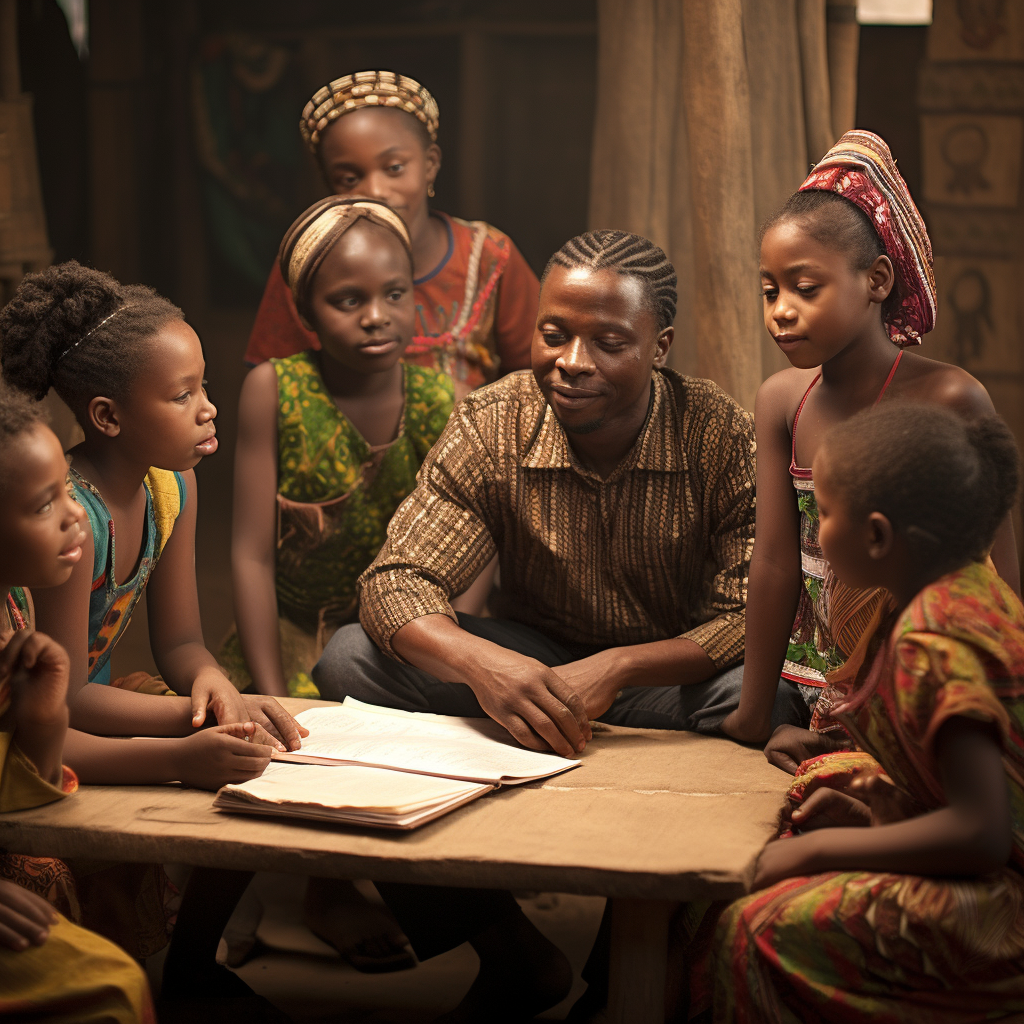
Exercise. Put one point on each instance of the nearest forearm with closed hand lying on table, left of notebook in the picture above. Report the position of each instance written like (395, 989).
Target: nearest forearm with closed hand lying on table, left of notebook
(207, 760)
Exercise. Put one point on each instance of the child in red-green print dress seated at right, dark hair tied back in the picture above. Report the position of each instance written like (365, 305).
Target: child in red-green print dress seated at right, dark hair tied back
(920, 917)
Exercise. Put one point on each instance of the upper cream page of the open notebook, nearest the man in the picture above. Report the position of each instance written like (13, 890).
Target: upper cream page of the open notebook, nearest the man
(431, 745)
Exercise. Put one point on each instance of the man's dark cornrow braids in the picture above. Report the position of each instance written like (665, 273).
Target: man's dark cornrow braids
(627, 254)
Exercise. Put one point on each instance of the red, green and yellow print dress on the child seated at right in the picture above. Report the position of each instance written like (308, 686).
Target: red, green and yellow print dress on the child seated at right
(897, 949)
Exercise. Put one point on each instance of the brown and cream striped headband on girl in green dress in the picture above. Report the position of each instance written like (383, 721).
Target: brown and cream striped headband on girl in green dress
(317, 232)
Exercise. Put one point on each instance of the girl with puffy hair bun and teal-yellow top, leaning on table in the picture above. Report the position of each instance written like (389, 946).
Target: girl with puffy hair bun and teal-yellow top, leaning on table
(132, 370)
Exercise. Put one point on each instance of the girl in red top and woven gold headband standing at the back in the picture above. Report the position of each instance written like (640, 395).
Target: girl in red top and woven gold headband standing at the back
(375, 134)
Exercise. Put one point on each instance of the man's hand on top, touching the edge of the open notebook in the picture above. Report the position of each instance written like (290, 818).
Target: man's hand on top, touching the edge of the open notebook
(537, 707)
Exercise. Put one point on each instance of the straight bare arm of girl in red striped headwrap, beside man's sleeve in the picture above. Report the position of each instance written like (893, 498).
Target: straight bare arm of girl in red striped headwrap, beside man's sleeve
(774, 588)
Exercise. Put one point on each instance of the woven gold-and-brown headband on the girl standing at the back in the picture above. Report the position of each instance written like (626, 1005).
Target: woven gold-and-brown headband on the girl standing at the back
(367, 89)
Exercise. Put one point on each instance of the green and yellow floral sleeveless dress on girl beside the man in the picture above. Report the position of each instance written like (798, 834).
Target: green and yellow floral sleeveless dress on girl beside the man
(336, 496)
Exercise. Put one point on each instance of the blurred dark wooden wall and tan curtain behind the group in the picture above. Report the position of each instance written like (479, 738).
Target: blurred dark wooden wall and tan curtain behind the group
(158, 141)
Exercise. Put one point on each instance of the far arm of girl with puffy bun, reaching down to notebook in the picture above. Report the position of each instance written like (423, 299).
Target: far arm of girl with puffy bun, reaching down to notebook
(179, 649)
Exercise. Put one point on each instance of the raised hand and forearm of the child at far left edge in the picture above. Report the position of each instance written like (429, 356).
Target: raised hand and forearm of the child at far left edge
(36, 670)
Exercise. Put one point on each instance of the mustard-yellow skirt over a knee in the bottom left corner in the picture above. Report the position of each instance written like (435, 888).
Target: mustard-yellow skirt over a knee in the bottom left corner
(76, 977)
